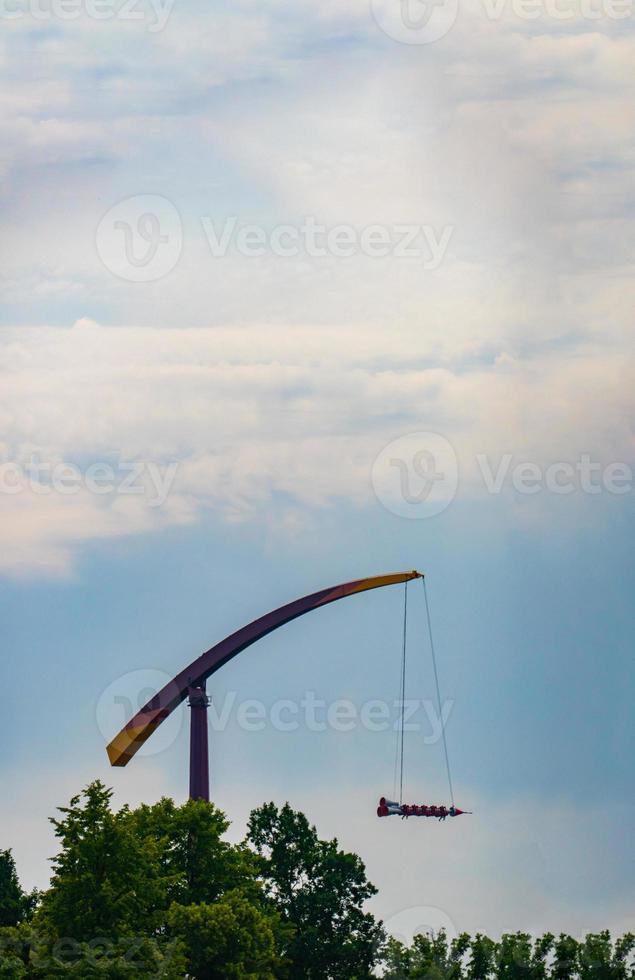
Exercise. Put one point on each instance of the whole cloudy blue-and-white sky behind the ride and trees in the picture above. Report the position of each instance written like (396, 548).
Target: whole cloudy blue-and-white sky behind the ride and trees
(297, 294)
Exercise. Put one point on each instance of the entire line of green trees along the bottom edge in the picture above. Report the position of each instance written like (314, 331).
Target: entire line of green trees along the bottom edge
(157, 892)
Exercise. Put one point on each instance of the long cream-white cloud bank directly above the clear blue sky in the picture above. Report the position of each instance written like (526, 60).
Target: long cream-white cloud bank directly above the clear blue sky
(252, 412)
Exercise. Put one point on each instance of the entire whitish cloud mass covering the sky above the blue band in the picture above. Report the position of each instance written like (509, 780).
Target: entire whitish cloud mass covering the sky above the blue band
(516, 134)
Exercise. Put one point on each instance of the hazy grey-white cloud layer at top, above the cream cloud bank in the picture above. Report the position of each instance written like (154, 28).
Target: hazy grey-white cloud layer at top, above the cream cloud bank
(517, 133)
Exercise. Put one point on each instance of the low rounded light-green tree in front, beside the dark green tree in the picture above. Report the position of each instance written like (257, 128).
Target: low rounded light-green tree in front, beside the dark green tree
(231, 939)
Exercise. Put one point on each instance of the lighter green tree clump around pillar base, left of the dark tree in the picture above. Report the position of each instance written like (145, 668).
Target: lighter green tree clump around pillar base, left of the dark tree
(134, 891)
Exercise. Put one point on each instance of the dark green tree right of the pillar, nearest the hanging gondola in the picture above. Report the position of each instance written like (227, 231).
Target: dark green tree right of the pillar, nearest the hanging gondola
(320, 891)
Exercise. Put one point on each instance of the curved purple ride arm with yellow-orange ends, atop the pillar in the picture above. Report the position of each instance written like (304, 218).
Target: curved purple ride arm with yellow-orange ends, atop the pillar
(147, 720)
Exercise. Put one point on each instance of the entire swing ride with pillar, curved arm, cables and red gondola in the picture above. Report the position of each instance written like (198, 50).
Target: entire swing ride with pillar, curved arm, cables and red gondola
(190, 683)
